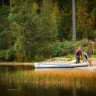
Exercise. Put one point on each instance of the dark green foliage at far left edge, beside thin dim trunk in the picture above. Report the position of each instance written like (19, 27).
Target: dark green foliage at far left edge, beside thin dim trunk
(4, 30)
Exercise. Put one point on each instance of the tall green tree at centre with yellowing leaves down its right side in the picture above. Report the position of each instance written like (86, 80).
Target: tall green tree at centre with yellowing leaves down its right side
(48, 28)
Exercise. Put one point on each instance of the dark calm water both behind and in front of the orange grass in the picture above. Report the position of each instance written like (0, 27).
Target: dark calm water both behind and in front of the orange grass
(38, 90)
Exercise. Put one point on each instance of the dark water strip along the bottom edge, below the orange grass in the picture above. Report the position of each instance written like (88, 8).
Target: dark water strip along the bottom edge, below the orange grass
(41, 91)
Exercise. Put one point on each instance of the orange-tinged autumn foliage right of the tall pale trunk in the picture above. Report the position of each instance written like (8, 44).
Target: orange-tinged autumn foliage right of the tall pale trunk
(85, 20)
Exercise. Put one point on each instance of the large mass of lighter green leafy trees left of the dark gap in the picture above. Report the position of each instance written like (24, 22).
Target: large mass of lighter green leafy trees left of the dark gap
(34, 32)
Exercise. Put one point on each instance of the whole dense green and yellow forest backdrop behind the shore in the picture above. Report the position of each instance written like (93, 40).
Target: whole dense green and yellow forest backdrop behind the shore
(38, 29)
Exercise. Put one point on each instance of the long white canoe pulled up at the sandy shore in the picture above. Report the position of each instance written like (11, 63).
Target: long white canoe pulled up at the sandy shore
(40, 65)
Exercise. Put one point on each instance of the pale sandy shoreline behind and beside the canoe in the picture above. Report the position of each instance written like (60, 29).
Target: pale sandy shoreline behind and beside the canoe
(51, 61)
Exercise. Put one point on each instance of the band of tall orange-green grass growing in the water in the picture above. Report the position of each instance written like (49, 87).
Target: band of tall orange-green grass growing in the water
(78, 79)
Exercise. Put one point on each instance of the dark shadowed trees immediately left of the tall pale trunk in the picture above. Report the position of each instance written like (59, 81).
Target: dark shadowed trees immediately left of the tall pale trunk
(65, 24)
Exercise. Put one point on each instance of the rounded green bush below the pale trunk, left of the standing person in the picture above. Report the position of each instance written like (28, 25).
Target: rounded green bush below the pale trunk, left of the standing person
(62, 48)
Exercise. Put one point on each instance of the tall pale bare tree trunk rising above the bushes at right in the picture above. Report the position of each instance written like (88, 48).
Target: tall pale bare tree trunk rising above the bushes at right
(74, 20)
